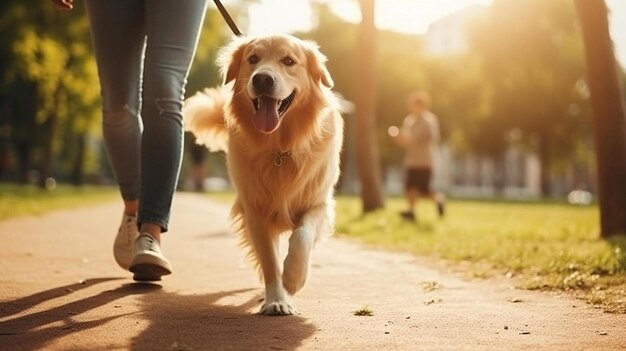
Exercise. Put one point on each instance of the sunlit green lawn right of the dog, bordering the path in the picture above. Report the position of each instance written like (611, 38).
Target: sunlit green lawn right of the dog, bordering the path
(547, 246)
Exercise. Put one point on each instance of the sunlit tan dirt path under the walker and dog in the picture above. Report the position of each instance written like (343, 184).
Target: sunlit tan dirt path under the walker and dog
(61, 290)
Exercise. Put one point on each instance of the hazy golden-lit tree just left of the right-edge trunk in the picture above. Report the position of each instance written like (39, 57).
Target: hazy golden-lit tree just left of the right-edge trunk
(532, 63)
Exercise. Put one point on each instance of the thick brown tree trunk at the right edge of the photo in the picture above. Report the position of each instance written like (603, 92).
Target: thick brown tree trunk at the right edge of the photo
(609, 115)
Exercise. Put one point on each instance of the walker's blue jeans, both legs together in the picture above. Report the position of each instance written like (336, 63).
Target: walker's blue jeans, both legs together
(144, 50)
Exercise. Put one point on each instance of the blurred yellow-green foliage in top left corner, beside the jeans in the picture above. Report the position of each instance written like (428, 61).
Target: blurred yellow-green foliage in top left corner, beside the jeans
(52, 50)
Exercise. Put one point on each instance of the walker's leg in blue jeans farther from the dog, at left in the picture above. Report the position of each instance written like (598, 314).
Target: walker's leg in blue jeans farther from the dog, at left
(118, 40)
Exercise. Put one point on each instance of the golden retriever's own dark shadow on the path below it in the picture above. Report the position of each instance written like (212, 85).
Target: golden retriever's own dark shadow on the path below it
(206, 322)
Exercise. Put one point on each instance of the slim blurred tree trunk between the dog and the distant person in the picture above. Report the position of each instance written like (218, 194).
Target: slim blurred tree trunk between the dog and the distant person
(367, 146)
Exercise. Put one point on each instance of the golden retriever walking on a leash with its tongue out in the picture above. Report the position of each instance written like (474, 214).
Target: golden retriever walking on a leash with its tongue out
(280, 126)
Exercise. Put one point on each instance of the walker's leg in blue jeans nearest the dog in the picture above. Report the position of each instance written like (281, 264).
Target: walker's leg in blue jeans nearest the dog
(172, 28)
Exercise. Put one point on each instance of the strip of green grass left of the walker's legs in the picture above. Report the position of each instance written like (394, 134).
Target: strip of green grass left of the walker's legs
(23, 200)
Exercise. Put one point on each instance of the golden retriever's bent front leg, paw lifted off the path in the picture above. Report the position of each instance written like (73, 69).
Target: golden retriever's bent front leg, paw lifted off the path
(301, 241)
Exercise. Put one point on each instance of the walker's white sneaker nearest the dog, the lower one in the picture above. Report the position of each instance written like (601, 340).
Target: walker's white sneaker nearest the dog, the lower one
(148, 262)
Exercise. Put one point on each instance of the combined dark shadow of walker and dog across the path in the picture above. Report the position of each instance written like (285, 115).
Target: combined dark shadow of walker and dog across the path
(159, 321)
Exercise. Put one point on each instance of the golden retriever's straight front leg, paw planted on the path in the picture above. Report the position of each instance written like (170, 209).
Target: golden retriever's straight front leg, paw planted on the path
(266, 247)
